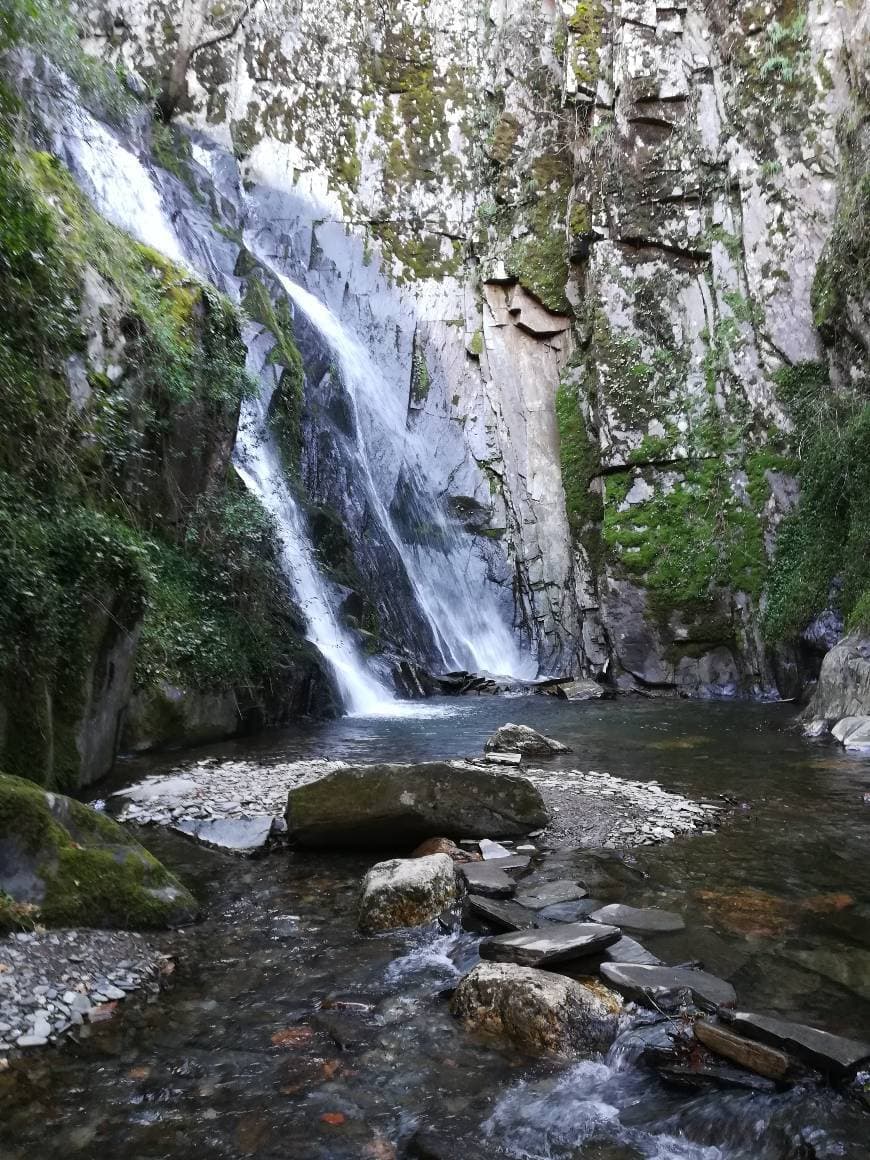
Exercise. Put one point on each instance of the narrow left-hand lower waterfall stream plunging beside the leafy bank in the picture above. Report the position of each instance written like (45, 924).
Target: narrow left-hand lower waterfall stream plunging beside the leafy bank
(257, 461)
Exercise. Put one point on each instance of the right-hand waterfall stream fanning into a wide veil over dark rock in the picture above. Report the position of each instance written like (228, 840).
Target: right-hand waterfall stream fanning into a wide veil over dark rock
(466, 622)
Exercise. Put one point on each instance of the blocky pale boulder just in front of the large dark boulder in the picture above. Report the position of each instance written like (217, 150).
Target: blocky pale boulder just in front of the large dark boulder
(407, 893)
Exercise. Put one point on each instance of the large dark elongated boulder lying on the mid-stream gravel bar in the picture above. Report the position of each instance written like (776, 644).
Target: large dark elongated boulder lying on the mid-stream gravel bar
(388, 806)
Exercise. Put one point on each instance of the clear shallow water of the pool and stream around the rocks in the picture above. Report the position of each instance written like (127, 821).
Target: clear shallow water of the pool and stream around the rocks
(779, 902)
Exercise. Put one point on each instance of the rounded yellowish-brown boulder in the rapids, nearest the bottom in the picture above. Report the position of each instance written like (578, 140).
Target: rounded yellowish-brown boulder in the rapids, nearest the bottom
(538, 1012)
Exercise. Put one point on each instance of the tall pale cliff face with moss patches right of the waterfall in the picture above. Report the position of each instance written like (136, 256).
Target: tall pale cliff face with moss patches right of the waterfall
(586, 238)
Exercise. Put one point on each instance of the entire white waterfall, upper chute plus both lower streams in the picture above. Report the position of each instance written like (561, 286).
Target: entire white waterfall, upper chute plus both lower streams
(466, 623)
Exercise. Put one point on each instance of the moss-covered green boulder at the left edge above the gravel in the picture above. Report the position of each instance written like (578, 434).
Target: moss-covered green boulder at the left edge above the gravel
(64, 865)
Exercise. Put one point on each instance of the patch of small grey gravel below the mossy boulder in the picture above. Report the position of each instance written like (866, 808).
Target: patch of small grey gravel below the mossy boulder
(53, 983)
